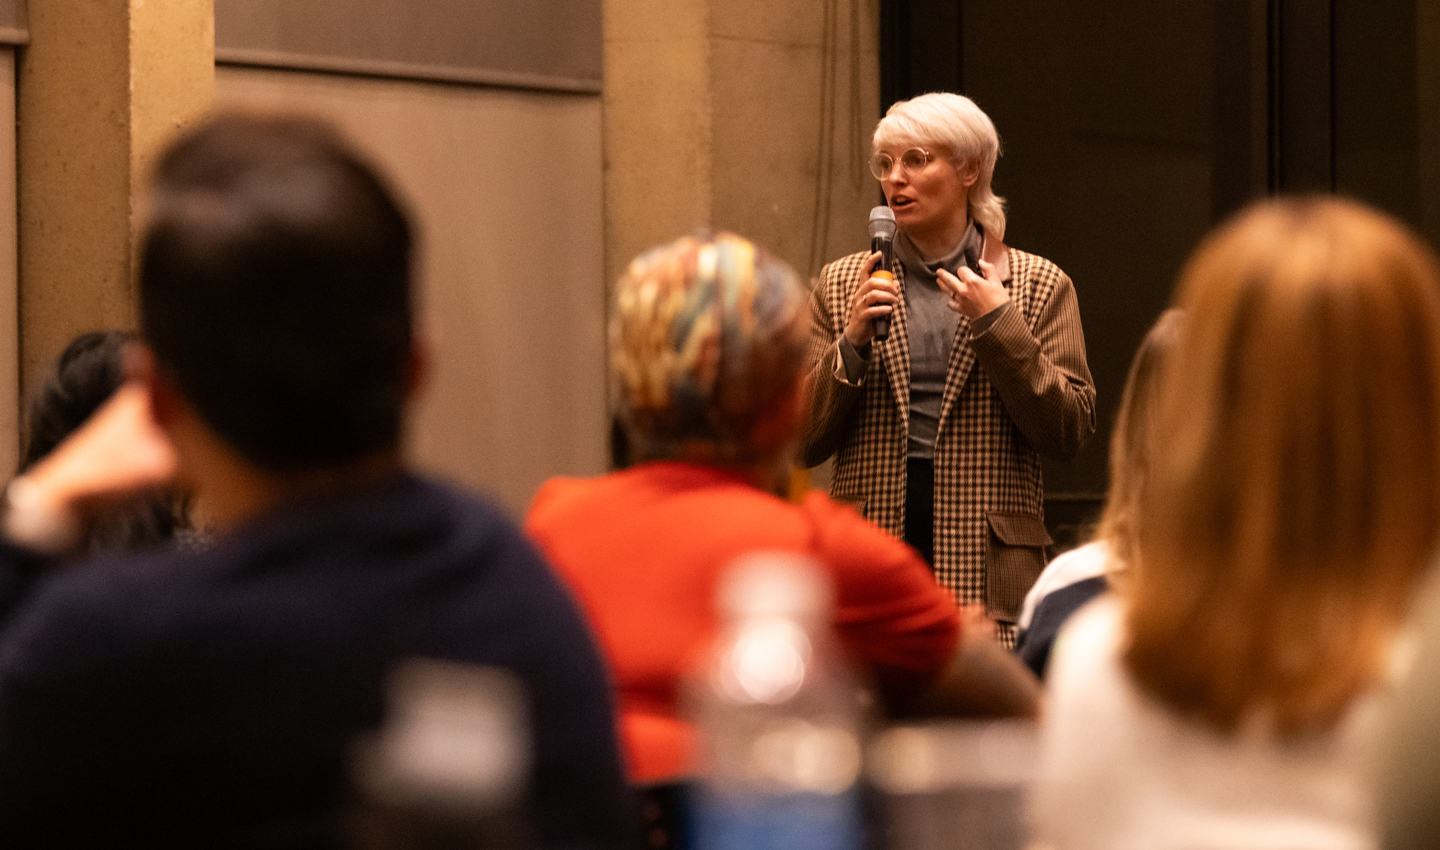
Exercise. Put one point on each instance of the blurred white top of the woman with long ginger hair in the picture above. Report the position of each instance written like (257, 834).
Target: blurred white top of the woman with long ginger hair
(1121, 771)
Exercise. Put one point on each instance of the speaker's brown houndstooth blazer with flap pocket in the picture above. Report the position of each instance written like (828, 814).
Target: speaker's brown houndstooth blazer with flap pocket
(1032, 394)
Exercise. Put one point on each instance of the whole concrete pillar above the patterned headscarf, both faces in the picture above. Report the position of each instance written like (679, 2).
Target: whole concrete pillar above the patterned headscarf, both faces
(752, 116)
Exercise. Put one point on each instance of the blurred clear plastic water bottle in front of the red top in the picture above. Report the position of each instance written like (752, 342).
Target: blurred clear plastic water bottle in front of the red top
(778, 715)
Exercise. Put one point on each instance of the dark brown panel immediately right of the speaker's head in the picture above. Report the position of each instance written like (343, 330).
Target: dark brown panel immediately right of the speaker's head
(1107, 168)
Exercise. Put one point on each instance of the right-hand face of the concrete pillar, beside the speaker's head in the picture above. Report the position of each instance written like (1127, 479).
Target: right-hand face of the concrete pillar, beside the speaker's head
(797, 97)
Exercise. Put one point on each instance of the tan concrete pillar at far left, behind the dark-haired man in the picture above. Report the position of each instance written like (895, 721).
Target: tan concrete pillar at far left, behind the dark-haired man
(103, 87)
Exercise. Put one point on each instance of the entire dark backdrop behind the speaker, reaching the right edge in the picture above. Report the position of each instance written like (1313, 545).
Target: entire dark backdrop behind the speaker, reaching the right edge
(1131, 129)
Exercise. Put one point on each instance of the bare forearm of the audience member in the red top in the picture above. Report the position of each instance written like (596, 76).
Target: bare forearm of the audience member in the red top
(983, 679)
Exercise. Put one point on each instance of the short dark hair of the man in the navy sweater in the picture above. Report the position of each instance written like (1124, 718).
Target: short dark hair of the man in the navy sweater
(276, 290)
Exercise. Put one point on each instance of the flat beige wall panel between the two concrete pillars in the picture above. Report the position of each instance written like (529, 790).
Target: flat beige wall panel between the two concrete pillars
(506, 188)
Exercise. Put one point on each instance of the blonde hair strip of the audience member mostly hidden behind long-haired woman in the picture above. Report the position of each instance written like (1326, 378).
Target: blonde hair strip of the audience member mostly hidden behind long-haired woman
(1135, 440)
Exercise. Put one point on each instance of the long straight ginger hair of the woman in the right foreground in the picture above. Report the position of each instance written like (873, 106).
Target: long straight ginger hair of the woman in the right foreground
(1298, 495)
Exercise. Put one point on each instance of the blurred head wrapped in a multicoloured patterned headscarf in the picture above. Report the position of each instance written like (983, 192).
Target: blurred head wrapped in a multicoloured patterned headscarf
(708, 346)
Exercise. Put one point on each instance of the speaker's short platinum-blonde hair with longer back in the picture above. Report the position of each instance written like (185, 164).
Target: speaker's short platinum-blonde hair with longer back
(967, 135)
